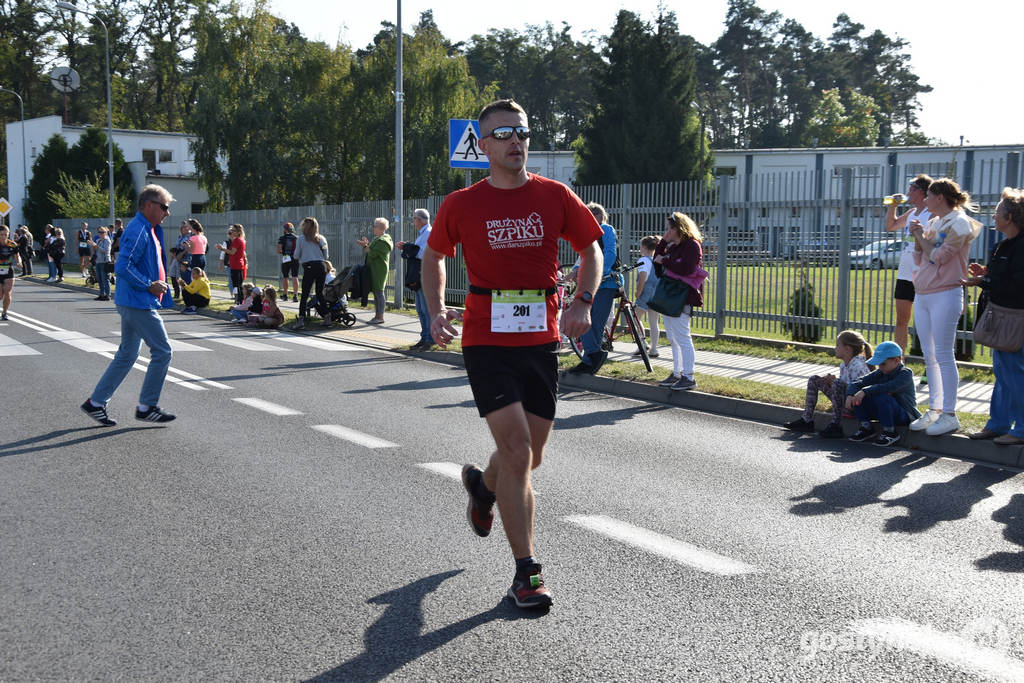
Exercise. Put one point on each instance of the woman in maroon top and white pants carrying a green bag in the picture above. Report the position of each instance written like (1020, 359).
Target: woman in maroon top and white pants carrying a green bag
(679, 253)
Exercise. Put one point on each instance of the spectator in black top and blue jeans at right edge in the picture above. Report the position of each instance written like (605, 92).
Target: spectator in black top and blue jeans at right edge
(1003, 279)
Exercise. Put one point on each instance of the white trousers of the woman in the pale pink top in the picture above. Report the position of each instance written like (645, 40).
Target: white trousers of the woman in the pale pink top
(935, 318)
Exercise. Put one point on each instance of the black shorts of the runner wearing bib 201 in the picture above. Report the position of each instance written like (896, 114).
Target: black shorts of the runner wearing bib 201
(501, 376)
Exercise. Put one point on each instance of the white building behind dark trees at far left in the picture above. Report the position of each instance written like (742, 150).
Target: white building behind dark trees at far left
(153, 157)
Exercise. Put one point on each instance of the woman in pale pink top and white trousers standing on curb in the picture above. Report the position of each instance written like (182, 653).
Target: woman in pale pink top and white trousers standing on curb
(942, 252)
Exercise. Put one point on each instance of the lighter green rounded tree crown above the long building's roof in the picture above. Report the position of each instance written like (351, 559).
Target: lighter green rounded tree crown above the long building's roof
(834, 124)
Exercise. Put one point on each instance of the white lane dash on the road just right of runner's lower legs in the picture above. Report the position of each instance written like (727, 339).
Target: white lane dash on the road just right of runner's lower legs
(658, 544)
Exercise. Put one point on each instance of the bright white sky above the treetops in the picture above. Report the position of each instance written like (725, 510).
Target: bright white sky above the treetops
(970, 55)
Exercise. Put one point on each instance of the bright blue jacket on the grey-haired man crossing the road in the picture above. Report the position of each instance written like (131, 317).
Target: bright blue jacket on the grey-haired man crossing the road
(137, 268)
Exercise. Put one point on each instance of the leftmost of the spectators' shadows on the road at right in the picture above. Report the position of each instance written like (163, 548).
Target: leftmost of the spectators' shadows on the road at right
(858, 489)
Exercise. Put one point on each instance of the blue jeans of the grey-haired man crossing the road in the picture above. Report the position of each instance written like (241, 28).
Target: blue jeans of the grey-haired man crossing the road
(138, 325)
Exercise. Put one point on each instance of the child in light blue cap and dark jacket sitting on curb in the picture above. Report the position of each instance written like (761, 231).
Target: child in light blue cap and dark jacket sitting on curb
(887, 395)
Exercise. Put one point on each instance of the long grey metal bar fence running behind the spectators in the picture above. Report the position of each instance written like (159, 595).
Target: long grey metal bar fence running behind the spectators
(764, 236)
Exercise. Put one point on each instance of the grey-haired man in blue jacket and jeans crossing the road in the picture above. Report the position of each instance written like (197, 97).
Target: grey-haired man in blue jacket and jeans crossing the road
(142, 291)
